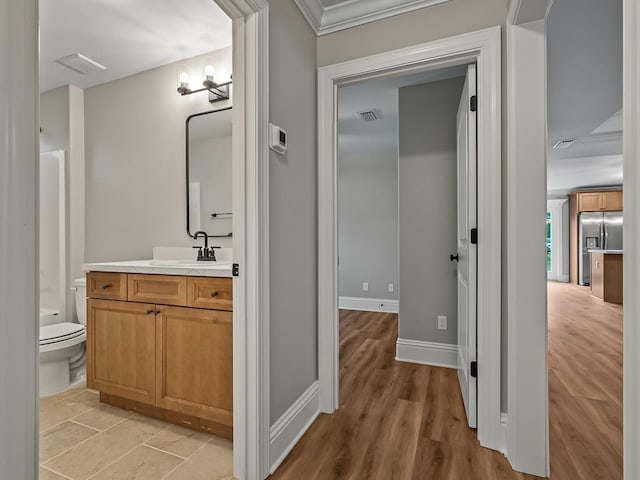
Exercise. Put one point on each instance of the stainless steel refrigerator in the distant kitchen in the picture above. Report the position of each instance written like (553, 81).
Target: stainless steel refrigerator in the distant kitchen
(598, 231)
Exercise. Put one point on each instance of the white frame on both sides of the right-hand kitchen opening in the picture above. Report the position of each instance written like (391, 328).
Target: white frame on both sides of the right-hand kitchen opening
(528, 445)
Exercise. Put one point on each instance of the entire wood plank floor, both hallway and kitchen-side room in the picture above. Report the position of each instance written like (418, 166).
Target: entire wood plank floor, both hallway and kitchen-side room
(406, 421)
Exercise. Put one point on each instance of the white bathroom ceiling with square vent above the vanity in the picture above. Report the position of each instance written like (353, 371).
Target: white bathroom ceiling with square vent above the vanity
(127, 37)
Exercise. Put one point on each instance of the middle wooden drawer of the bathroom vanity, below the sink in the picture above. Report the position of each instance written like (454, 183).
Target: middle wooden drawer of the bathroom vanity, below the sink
(162, 289)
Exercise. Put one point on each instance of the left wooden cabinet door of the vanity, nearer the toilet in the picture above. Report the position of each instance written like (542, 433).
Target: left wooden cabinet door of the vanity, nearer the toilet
(121, 349)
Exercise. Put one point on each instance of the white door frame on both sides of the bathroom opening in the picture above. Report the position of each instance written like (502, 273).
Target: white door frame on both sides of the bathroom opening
(18, 277)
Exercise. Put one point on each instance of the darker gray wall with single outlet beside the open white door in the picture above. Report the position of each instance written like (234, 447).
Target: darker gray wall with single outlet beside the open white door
(428, 212)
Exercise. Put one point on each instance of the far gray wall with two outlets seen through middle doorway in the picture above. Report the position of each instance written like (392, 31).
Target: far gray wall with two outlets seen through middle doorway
(368, 224)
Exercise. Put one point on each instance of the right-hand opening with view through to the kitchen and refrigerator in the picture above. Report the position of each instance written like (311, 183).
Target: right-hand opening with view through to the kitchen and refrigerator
(586, 219)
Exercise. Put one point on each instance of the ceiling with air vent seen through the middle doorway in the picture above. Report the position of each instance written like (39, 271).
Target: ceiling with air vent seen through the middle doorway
(357, 136)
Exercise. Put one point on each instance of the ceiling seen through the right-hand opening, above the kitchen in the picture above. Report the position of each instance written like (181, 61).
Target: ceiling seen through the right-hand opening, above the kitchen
(584, 93)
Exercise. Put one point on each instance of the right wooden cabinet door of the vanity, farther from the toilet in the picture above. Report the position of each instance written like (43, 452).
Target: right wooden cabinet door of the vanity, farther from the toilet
(194, 373)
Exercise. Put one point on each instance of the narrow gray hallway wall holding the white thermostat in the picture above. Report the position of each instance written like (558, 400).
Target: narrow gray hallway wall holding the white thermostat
(292, 209)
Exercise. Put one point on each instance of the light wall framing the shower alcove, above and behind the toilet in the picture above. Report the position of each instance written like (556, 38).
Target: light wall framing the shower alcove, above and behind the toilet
(62, 123)
